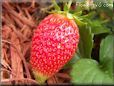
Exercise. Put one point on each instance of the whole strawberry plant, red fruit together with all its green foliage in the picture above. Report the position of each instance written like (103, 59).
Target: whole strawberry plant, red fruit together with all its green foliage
(71, 32)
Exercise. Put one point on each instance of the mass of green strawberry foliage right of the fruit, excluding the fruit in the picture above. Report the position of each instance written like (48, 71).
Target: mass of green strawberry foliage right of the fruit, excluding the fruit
(87, 70)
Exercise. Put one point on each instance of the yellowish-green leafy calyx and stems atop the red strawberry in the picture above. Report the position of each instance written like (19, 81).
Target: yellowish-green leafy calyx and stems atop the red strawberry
(67, 12)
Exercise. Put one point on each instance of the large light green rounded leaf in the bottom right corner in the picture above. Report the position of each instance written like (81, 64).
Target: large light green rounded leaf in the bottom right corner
(87, 71)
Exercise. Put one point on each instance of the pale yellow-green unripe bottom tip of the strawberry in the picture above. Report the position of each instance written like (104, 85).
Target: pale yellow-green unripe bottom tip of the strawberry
(39, 77)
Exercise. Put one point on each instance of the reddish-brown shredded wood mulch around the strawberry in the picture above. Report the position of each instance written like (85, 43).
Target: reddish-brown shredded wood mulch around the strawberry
(19, 20)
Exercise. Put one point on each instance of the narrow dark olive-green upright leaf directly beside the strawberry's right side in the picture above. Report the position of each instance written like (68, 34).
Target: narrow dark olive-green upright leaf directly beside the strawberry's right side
(86, 41)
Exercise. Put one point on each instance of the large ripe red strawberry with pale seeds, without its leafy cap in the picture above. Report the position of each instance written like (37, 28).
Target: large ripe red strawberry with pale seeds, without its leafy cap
(53, 45)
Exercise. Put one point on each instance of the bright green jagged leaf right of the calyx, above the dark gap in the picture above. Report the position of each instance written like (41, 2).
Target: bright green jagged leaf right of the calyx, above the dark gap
(97, 26)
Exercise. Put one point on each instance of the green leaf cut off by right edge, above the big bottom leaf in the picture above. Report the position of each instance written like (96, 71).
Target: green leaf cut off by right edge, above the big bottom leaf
(107, 54)
